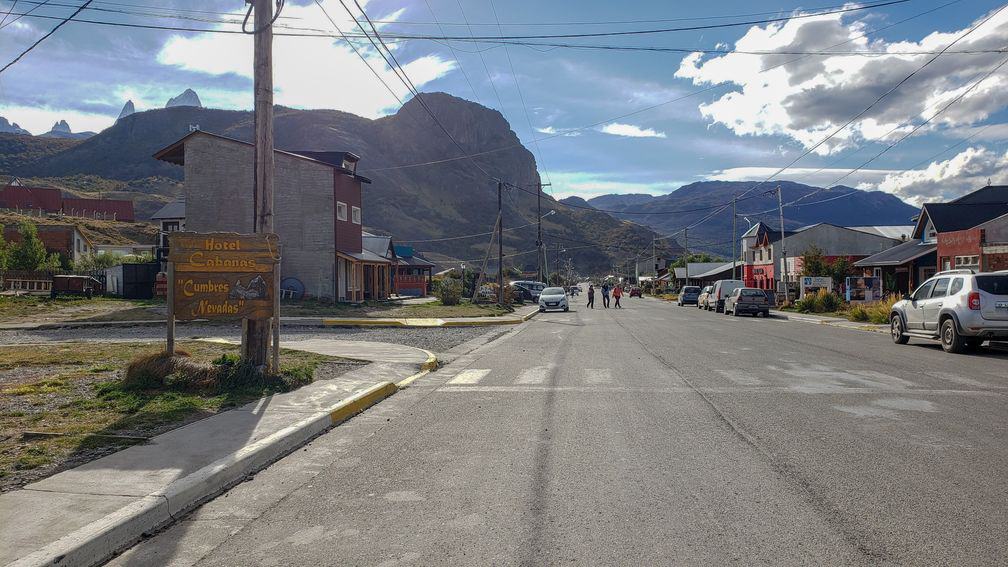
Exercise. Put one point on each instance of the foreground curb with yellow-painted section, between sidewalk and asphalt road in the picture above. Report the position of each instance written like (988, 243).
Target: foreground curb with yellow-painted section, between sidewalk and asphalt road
(100, 540)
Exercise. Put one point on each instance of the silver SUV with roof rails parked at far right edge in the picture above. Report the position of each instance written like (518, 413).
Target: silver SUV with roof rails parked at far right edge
(959, 308)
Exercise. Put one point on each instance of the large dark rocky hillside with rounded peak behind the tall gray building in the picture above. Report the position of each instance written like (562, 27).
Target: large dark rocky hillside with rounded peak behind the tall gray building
(418, 203)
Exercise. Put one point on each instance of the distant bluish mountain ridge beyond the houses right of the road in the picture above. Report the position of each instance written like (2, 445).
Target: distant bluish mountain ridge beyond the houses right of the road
(843, 206)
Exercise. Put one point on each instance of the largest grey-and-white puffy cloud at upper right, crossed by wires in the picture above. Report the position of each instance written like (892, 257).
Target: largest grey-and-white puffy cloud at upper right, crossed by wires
(809, 97)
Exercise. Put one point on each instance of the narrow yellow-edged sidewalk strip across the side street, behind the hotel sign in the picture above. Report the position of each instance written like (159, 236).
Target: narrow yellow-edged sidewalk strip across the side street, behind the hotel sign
(520, 316)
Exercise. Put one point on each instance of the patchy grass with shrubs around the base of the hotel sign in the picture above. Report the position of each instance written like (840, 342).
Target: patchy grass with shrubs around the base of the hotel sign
(87, 397)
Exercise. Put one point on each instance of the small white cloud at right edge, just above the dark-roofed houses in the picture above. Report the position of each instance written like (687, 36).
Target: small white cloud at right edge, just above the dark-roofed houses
(942, 181)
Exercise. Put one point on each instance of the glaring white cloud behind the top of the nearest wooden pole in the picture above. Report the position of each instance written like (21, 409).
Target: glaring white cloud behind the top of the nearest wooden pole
(308, 72)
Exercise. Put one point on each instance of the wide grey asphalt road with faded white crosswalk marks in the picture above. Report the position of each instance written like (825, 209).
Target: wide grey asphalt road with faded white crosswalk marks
(649, 435)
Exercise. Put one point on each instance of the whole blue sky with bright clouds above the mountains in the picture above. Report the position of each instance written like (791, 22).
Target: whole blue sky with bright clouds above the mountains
(729, 103)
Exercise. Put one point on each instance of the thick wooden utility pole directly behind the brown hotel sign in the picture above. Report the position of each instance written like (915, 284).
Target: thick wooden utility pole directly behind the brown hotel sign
(258, 332)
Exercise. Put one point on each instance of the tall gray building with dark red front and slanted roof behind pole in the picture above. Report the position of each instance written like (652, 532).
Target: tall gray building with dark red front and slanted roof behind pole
(315, 196)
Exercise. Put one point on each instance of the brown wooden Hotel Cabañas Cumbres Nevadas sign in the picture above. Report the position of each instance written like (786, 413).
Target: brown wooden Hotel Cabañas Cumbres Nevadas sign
(223, 276)
